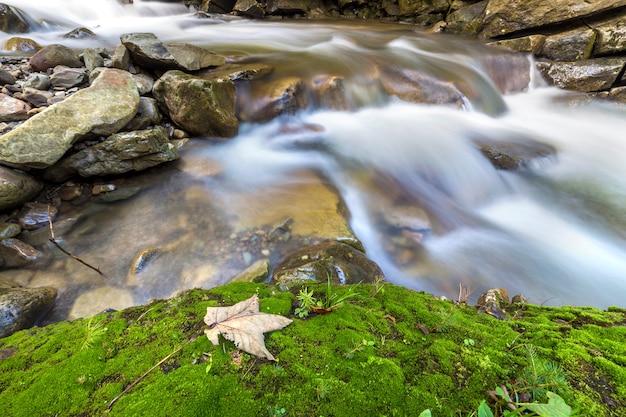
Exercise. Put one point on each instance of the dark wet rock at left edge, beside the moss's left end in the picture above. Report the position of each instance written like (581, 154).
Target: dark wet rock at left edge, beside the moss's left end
(20, 308)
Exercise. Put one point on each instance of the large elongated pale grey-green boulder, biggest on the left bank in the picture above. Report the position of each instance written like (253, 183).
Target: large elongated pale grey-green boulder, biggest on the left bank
(101, 109)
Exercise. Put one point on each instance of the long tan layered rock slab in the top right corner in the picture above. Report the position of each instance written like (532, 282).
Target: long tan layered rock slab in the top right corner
(503, 17)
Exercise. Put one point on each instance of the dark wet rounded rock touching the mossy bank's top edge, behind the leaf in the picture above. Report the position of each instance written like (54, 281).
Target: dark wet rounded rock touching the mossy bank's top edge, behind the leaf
(342, 262)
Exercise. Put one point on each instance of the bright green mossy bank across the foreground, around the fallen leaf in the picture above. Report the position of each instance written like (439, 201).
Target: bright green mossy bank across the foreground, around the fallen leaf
(388, 352)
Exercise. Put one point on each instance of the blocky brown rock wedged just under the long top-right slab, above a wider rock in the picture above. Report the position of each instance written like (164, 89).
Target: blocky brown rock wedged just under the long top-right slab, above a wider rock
(569, 46)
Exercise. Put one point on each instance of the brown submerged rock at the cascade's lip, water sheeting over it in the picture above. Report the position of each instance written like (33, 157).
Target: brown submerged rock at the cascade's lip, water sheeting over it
(418, 87)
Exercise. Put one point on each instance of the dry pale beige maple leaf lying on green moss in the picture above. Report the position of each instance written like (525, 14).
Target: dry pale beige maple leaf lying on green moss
(244, 325)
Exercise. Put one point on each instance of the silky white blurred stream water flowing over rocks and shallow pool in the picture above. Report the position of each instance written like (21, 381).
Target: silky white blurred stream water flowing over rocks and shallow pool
(555, 232)
